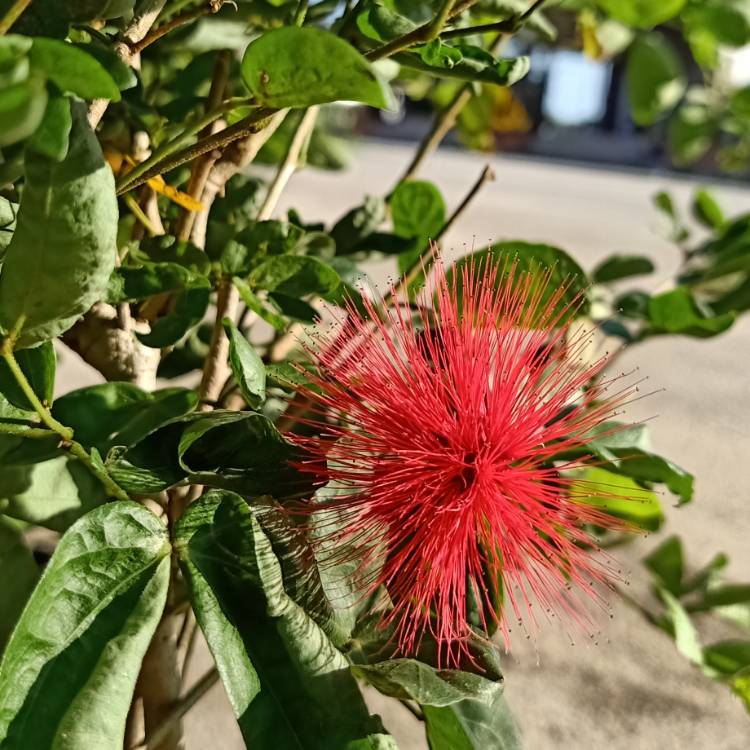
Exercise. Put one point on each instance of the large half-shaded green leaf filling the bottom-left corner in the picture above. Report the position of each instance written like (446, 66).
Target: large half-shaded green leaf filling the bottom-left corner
(69, 670)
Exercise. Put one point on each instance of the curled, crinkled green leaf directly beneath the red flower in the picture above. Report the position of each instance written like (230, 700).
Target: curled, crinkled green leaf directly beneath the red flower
(409, 679)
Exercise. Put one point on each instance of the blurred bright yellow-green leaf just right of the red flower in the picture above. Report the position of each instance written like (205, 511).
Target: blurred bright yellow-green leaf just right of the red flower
(619, 496)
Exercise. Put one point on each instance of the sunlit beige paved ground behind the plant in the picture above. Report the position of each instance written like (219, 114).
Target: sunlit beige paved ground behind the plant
(632, 691)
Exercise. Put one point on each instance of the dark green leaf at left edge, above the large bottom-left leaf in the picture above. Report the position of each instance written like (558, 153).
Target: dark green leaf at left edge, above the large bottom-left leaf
(20, 573)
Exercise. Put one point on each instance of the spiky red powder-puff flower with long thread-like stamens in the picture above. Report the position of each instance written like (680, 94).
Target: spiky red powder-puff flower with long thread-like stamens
(439, 431)
